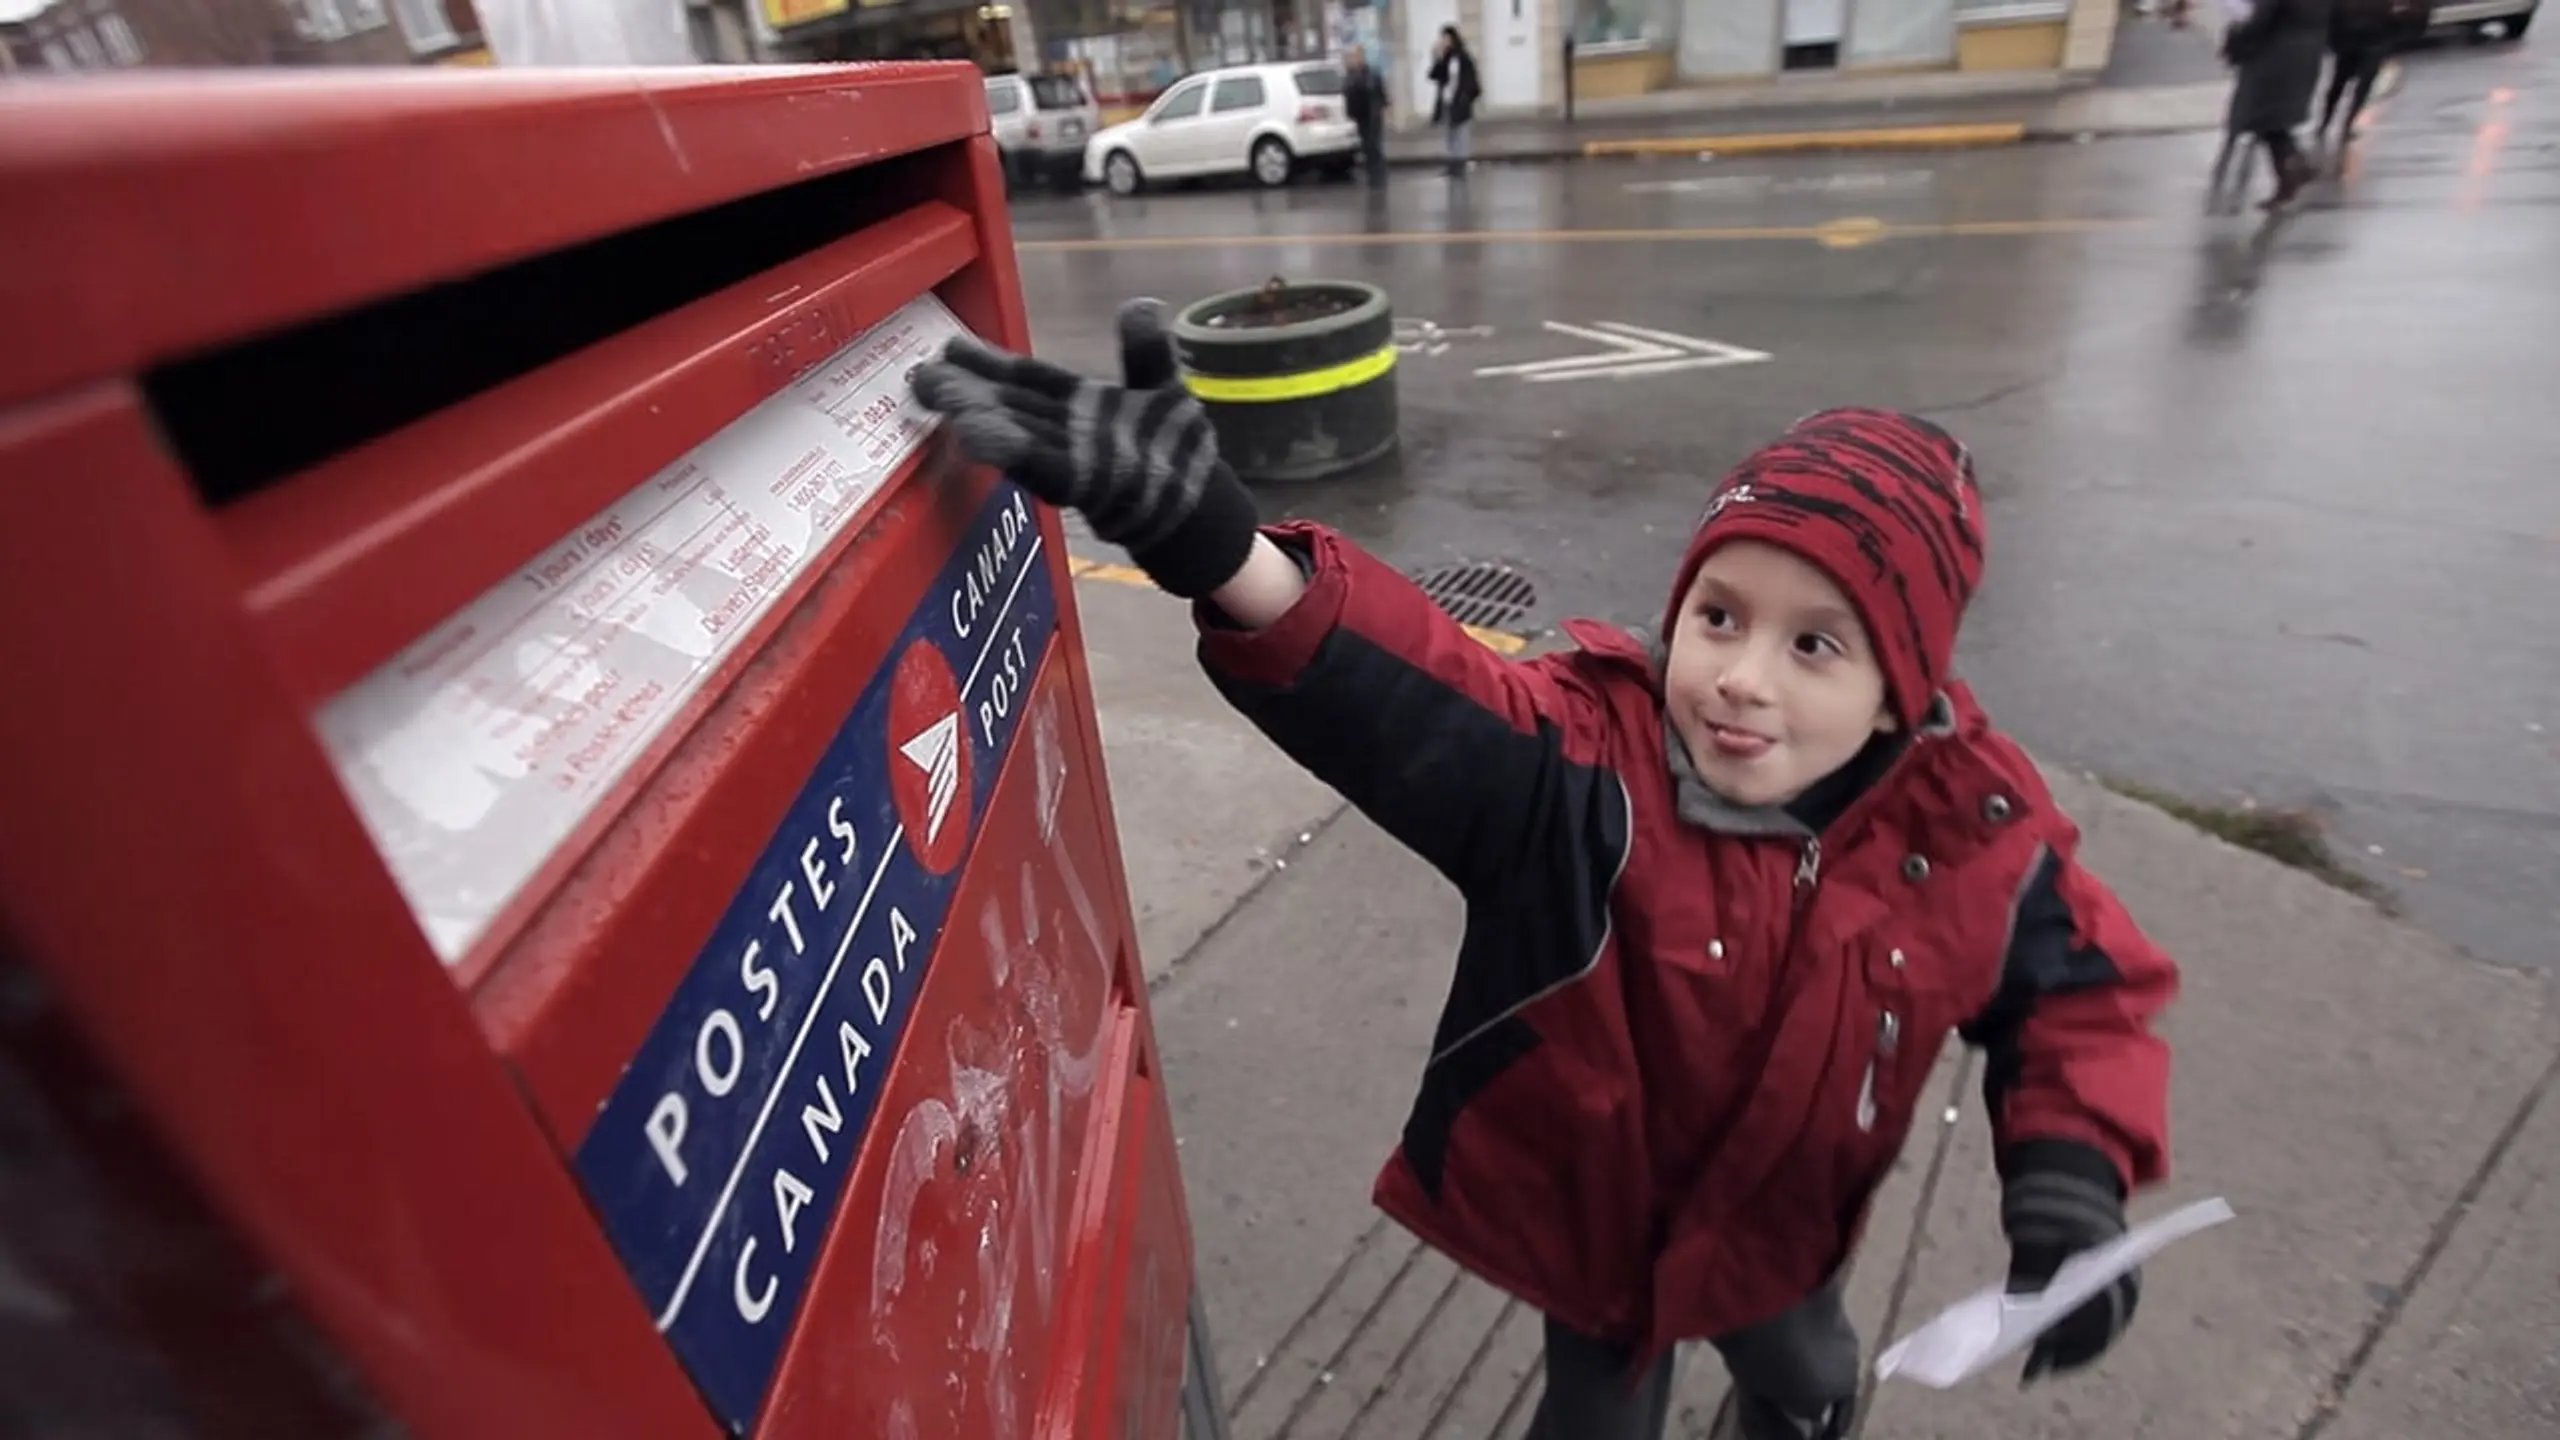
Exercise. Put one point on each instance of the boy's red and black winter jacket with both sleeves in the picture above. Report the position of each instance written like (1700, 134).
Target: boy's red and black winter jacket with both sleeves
(1676, 1065)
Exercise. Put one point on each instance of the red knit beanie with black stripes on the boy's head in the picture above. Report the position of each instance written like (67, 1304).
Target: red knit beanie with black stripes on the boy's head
(1885, 506)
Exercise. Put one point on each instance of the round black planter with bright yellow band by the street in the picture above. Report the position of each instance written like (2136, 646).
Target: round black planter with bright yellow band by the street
(1297, 378)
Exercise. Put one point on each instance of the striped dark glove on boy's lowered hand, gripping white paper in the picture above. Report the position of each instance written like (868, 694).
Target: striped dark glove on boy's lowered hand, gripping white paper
(2057, 1200)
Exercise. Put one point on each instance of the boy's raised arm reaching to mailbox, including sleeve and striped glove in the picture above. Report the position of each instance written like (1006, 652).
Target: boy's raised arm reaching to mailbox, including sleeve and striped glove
(1332, 655)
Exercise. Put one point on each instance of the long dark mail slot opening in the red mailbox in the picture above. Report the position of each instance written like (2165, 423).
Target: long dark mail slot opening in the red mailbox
(265, 409)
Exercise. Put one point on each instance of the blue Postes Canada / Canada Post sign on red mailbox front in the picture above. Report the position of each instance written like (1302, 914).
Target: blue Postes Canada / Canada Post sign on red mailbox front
(721, 1157)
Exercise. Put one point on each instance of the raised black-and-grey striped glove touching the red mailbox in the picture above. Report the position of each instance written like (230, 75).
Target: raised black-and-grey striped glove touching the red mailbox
(1138, 460)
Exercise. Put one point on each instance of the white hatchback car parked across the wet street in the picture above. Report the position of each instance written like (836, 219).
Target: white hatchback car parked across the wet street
(1245, 119)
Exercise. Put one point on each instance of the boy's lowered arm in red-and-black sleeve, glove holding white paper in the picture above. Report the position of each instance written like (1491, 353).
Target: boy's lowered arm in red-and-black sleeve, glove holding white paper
(2077, 1088)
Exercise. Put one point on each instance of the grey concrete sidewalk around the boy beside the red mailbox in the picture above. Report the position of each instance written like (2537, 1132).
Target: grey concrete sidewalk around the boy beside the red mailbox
(2372, 1106)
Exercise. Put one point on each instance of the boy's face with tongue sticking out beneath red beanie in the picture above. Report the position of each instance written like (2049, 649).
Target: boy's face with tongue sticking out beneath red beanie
(1773, 683)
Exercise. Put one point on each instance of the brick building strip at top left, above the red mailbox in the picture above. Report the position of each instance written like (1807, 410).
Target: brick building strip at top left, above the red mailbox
(114, 35)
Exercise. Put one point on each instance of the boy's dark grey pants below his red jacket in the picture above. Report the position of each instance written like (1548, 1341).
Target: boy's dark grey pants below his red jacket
(1786, 1372)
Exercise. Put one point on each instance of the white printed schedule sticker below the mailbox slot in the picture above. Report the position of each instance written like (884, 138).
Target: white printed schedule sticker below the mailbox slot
(477, 749)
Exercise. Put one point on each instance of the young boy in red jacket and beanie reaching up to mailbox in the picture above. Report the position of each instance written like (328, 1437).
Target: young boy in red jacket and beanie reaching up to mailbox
(1727, 890)
